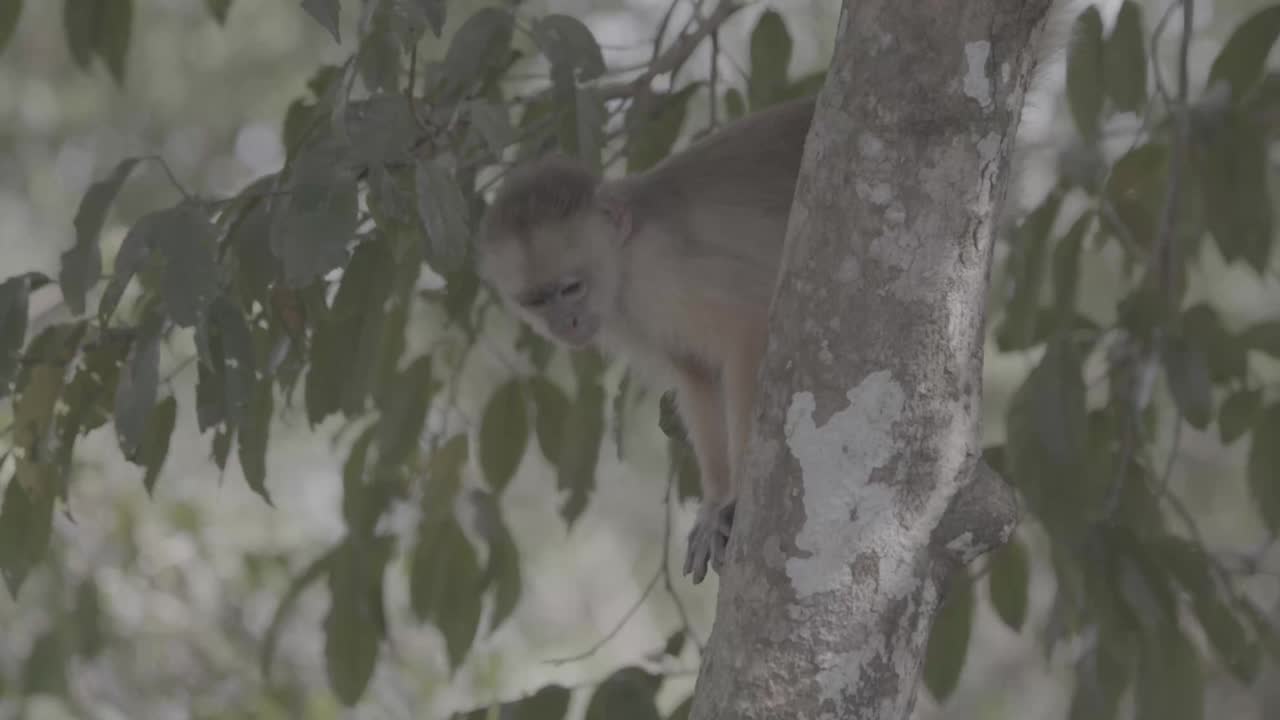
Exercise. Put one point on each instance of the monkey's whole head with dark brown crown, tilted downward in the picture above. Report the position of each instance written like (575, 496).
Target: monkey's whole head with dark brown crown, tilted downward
(551, 247)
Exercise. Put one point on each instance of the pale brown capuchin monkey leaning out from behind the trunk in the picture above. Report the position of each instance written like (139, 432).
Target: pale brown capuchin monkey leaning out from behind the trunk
(674, 270)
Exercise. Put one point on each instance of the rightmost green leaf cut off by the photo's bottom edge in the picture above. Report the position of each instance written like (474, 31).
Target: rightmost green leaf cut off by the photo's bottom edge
(1171, 682)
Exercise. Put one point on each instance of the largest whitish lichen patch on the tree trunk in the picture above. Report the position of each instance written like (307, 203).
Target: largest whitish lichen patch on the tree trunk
(843, 508)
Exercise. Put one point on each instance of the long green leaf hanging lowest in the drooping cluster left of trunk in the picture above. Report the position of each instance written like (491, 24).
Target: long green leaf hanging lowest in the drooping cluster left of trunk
(355, 626)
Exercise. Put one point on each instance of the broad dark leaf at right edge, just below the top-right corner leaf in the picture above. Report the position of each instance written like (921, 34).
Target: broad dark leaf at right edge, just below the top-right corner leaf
(1235, 188)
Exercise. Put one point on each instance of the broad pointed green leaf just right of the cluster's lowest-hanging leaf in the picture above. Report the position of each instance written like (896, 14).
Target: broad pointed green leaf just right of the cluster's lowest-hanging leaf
(445, 585)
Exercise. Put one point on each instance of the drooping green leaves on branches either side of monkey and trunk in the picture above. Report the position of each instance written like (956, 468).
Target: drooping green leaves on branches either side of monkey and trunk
(307, 280)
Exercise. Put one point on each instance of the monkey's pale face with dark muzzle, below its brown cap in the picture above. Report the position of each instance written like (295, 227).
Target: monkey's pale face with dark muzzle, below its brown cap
(563, 279)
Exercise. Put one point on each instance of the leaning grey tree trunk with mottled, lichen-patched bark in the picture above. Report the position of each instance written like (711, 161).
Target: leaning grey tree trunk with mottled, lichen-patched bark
(861, 494)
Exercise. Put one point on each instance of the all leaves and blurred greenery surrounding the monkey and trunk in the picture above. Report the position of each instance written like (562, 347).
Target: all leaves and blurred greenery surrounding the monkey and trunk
(268, 449)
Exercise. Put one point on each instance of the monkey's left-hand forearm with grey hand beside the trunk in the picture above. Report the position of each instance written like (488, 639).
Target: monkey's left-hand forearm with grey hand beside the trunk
(702, 411)
